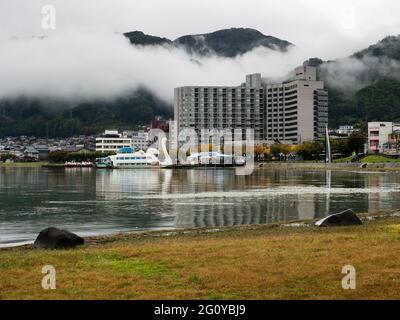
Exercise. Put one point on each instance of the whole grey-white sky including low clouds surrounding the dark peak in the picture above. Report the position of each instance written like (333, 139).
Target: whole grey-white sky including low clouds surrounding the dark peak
(86, 56)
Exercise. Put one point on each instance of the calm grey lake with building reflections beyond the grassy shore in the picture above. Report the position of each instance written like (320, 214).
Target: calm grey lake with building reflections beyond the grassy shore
(94, 202)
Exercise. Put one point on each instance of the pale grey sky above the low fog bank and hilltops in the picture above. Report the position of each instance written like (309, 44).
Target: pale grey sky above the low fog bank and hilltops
(328, 29)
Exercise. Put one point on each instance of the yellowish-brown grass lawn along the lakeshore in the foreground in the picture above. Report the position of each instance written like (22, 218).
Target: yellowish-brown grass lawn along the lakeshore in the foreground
(241, 263)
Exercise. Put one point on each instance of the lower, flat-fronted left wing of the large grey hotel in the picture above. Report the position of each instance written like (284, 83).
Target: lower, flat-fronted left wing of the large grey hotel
(233, 108)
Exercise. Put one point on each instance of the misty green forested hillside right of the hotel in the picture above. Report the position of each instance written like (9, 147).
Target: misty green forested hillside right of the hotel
(364, 86)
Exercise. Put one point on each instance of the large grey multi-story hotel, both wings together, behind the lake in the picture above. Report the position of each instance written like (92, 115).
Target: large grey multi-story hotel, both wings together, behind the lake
(292, 111)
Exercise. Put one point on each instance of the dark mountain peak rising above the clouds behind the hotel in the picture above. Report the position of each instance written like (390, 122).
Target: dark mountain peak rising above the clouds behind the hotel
(224, 43)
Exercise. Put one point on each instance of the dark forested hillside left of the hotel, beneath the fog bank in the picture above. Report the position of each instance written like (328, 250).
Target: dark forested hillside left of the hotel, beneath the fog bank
(28, 116)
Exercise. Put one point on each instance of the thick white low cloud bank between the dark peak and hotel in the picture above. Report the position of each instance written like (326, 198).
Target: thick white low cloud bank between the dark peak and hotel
(92, 66)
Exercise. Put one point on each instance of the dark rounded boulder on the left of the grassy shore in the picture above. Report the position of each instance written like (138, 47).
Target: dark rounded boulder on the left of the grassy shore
(53, 238)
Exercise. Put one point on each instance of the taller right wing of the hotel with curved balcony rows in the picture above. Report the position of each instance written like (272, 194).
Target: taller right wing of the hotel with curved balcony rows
(297, 110)
